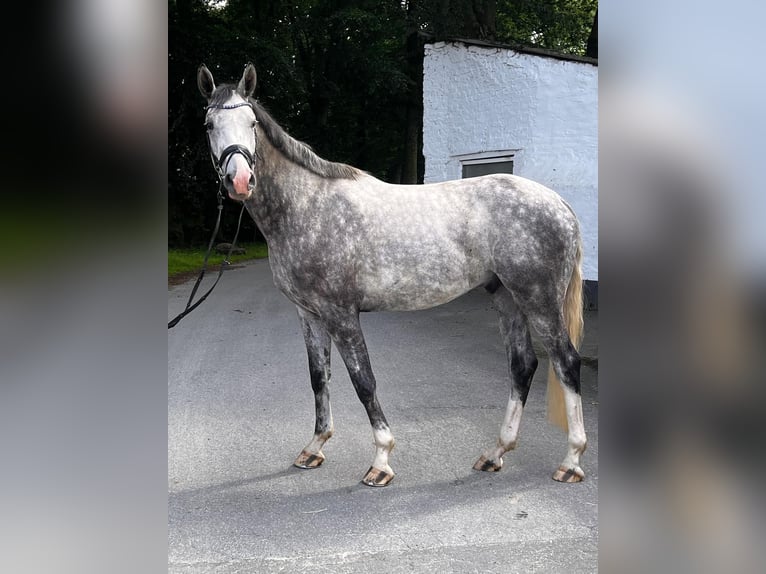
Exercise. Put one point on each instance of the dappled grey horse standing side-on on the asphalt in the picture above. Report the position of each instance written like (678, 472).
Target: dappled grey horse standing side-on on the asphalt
(342, 242)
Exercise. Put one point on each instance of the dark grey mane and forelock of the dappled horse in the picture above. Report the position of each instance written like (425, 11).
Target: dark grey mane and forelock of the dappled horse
(294, 150)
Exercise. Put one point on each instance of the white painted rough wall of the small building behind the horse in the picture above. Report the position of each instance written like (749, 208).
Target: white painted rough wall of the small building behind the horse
(479, 99)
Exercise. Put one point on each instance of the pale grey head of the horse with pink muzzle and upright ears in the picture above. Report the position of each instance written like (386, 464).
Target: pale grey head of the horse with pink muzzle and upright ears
(230, 123)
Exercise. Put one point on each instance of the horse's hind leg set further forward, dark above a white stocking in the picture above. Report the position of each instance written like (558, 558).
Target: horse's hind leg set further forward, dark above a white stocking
(522, 364)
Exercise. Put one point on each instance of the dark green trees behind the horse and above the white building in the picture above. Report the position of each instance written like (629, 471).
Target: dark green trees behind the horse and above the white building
(342, 75)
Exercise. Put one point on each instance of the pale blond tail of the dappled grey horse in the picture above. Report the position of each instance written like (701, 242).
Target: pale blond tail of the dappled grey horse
(573, 315)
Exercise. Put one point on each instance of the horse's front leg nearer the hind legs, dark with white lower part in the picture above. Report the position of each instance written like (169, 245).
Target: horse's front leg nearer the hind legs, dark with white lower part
(346, 332)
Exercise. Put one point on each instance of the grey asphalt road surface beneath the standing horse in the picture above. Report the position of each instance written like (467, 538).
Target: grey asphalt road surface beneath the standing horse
(240, 409)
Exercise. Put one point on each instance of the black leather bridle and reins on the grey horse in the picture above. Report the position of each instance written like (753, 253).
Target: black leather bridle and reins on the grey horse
(220, 167)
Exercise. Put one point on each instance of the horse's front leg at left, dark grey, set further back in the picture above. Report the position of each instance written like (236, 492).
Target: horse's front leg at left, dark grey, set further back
(318, 348)
